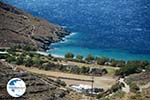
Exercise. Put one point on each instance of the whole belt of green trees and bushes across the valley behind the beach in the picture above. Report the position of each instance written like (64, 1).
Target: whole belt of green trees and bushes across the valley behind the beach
(24, 55)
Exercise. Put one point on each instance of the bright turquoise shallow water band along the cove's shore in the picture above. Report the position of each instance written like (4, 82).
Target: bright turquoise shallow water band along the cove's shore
(63, 47)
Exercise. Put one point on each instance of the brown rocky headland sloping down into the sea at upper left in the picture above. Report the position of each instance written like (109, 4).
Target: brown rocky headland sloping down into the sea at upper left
(20, 28)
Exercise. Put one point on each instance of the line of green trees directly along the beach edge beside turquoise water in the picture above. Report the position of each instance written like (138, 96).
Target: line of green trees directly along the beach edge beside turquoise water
(103, 60)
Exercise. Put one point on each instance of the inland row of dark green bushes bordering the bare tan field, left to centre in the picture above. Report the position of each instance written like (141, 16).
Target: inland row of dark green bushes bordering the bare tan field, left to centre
(30, 59)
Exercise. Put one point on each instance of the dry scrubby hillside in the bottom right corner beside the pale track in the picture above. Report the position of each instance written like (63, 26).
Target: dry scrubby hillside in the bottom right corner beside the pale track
(139, 88)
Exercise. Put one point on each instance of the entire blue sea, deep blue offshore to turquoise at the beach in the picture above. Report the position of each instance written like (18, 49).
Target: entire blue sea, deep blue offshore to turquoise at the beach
(114, 28)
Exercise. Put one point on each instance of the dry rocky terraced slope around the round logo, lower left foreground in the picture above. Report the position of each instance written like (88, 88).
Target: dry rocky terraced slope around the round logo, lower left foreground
(38, 87)
